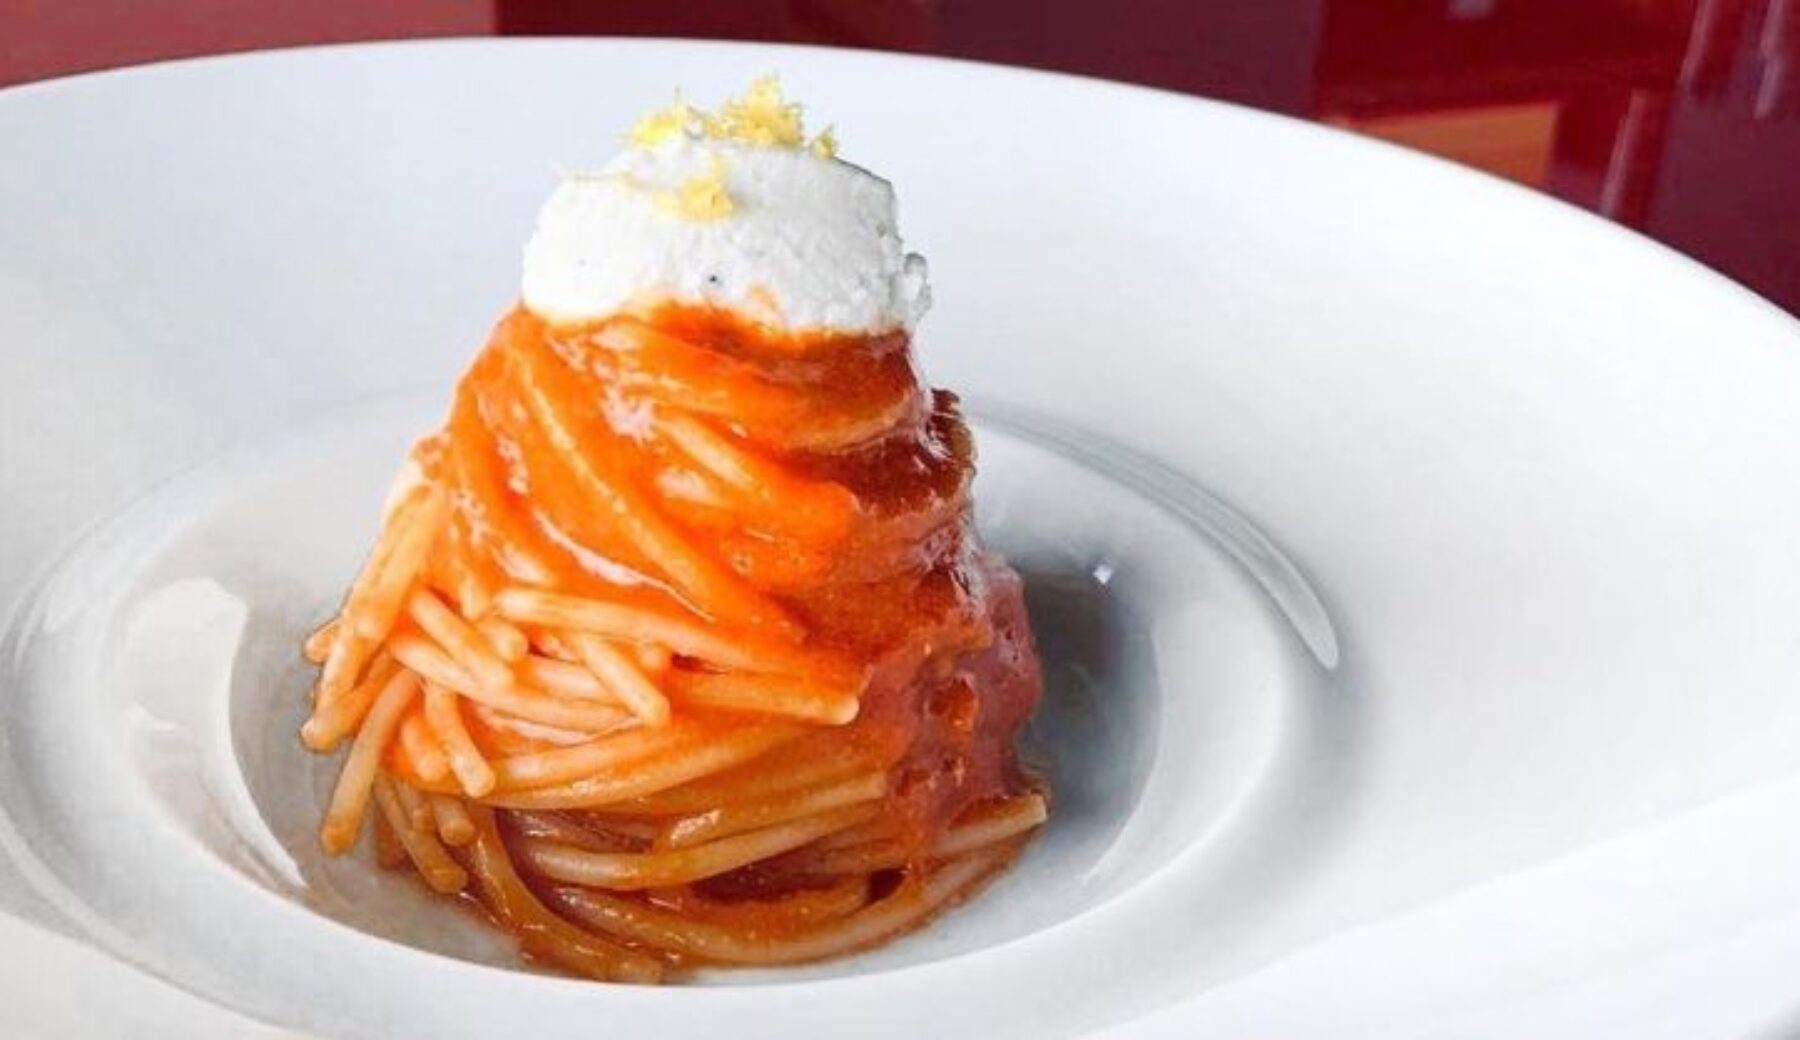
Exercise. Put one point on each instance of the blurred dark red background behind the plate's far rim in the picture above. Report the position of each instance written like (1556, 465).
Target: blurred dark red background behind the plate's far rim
(1680, 118)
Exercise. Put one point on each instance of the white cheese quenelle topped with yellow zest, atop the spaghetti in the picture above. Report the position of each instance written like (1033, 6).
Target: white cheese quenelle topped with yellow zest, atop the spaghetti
(735, 210)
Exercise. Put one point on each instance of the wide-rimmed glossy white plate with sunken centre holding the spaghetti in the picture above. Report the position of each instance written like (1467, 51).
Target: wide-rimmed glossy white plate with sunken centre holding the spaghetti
(1497, 742)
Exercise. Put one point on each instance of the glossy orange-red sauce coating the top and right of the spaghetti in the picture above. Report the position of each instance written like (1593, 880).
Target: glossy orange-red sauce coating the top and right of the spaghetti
(838, 524)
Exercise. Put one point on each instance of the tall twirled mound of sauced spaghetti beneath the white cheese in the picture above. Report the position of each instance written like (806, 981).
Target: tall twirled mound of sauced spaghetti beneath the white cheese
(678, 649)
